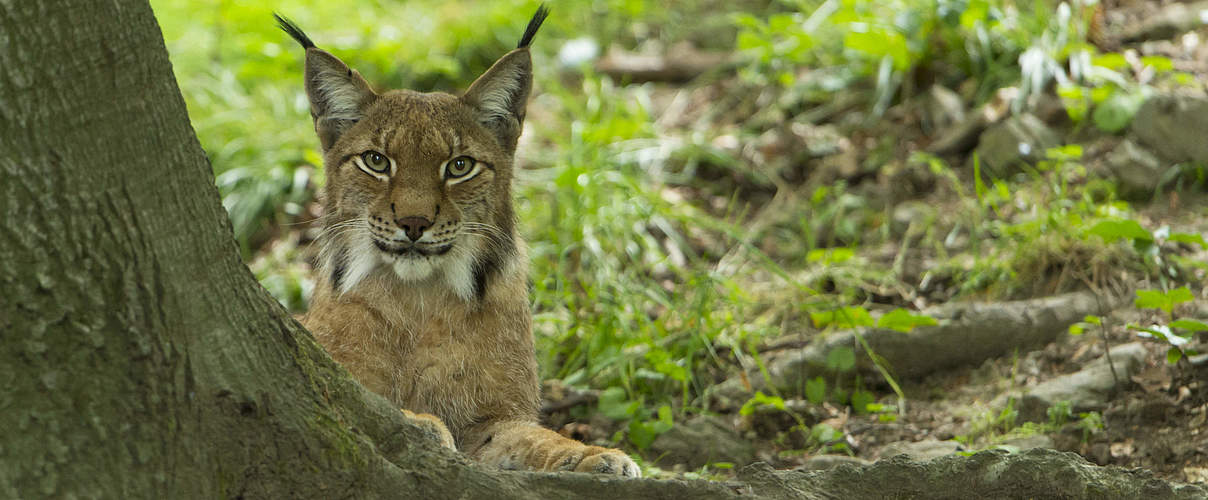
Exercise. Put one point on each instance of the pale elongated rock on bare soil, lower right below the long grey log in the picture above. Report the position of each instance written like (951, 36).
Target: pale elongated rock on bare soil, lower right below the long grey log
(1089, 389)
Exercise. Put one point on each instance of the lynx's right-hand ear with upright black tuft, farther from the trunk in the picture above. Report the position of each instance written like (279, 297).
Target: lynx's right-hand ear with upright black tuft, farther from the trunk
(501, 95)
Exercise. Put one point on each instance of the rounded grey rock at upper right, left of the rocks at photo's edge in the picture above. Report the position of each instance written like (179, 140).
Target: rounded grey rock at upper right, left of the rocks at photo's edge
(1019, 139)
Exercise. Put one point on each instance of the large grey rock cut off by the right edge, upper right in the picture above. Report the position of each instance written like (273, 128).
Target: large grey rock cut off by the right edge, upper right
(1174, 127)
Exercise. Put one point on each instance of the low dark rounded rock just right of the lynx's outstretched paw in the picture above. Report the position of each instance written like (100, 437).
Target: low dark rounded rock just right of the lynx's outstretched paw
(700, 441)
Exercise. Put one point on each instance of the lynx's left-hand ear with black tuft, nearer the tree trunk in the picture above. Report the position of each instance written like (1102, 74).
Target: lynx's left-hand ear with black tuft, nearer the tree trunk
(339, 95)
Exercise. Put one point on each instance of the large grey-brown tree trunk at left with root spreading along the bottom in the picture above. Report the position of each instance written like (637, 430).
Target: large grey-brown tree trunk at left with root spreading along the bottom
(138, 356)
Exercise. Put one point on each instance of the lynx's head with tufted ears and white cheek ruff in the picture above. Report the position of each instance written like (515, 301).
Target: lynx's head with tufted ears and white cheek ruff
(419, 184)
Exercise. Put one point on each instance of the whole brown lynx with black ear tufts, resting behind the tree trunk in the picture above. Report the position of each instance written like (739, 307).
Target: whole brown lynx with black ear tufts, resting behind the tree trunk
(422, 288)
